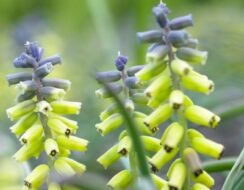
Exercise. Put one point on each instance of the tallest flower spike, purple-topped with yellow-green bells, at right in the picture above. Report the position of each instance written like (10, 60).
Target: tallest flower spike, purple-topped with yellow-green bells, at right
(169, 71)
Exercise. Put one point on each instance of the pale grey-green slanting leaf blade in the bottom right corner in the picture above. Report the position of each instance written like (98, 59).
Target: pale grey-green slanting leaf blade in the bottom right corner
(230, 180)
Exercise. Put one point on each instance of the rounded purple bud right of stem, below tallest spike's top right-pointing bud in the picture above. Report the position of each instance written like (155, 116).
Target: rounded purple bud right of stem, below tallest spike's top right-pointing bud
(178, 38)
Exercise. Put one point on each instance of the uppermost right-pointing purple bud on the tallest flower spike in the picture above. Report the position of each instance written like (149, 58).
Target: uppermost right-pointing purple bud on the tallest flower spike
(181, 22)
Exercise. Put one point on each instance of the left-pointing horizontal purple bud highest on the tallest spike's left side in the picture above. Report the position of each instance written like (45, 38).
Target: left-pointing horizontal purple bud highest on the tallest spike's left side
(150, 36)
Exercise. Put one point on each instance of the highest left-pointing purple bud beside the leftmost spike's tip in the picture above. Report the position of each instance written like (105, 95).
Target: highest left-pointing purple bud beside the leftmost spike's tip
(24, 61)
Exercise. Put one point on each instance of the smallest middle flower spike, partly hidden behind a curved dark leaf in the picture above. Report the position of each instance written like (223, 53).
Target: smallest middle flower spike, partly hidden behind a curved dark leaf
(111, 119)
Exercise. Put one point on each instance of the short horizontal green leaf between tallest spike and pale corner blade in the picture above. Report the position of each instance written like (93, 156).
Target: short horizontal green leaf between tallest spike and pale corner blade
(219, 165)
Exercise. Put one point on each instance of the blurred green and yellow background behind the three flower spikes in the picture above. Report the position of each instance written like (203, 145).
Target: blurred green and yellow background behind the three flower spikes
(88, 34)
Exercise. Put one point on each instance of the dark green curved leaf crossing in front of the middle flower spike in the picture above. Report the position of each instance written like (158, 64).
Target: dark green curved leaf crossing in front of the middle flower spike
(134, 135)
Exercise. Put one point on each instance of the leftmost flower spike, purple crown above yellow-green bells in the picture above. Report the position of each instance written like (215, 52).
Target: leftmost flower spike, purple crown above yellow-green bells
(39, 115)
